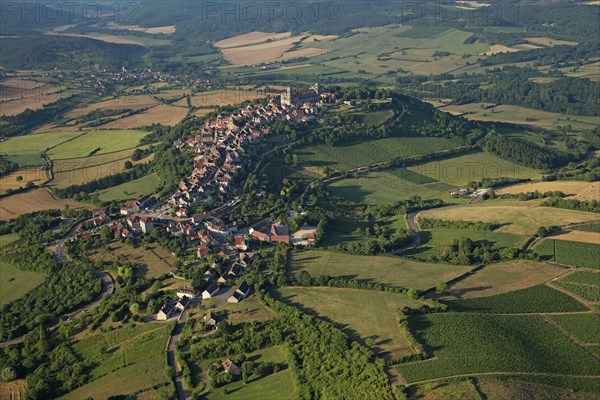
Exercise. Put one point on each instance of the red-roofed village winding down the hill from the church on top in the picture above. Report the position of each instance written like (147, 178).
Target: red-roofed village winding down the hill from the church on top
(220, 153)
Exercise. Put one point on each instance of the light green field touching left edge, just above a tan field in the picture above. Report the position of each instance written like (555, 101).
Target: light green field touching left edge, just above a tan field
(25, 150)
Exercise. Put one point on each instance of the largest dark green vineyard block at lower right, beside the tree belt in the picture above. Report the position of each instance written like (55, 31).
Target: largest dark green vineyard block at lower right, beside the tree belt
(476, 343)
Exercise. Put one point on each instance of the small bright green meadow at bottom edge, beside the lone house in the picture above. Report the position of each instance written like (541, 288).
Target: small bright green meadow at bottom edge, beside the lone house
(277, 386)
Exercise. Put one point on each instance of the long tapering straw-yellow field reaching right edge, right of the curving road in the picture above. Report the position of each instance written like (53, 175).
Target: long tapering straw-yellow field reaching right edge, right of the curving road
(516, 217)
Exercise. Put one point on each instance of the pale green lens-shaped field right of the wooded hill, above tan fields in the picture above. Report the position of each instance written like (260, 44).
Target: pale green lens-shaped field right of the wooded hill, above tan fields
(459, 171)
